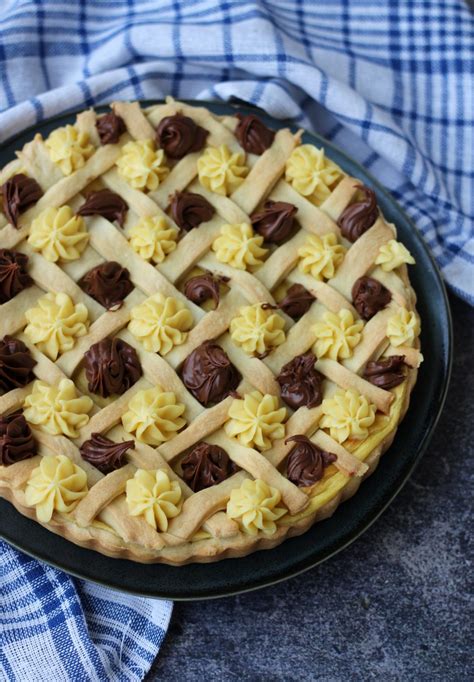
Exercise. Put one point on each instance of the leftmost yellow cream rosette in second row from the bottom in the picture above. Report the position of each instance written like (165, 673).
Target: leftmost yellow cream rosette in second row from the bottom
(57, 409)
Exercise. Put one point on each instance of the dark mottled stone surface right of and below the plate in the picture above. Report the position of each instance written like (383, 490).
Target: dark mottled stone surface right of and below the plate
(395, 605)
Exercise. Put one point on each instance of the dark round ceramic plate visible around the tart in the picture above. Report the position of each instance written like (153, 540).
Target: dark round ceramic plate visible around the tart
(201, 581)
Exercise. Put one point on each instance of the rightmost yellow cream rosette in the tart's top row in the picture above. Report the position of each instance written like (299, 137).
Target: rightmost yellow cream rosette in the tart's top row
(312, 174)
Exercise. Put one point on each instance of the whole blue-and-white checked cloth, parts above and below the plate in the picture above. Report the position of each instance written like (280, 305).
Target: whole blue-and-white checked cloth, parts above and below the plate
(390, 82)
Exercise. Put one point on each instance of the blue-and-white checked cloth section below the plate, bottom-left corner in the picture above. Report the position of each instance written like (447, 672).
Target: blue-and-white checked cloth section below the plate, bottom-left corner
(54, 628)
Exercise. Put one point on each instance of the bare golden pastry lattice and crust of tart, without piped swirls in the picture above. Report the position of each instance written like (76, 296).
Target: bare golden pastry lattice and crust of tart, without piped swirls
(264, 181)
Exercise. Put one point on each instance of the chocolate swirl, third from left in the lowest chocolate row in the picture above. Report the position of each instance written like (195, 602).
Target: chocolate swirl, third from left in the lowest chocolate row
(206, 465)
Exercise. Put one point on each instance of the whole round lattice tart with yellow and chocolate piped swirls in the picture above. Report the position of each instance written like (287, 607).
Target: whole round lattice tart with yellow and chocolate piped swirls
(211, 303)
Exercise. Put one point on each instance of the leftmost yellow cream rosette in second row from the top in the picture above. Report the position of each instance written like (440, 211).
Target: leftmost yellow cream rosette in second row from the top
(58, 234)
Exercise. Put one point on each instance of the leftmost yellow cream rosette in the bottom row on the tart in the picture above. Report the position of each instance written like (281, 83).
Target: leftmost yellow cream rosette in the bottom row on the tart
(56, 485)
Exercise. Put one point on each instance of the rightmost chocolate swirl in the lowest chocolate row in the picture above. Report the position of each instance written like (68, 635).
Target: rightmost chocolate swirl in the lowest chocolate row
(306, 462)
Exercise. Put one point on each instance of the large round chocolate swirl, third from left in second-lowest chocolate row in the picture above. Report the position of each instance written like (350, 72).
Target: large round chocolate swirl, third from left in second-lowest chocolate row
(208, 373)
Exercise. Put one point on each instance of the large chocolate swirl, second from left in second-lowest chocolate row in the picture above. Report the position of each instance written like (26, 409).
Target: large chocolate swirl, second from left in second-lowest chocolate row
(111, 367)
